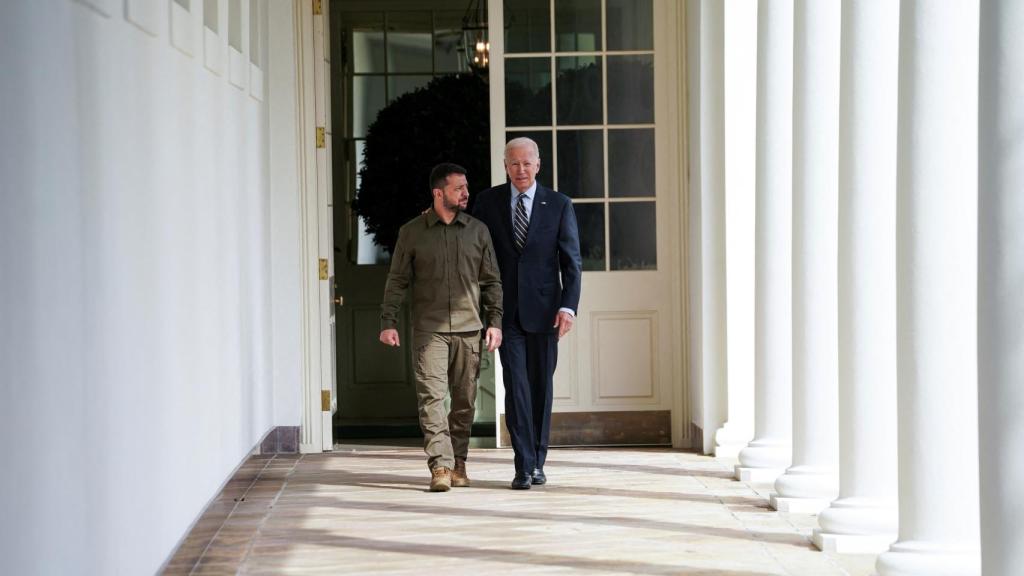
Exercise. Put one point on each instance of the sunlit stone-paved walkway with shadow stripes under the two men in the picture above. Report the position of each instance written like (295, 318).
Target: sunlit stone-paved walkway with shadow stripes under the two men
(604, 512)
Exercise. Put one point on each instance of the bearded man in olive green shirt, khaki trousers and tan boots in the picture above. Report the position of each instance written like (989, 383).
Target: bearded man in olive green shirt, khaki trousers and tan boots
(448, 258)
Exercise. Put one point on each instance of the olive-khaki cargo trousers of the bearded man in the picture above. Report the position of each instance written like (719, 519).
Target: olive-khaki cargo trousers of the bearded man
(447, 363)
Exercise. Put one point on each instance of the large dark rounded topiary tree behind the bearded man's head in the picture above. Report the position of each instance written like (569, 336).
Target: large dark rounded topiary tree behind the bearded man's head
(446, 121)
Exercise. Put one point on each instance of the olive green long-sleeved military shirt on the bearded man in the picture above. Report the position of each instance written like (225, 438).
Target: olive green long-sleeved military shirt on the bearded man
(450, 267)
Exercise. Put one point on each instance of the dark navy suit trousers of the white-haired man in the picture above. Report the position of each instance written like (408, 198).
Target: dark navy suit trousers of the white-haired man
(529, 361)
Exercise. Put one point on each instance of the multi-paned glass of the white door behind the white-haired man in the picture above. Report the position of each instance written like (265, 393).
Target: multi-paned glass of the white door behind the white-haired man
(580, 81)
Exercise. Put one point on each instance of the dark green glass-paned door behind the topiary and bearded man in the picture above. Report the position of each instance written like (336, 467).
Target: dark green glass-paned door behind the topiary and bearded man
(380, 51)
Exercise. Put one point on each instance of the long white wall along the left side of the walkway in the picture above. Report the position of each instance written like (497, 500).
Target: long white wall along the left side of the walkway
(136, 286)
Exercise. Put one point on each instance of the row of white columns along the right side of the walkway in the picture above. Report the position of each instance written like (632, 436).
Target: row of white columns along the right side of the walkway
(889, 298)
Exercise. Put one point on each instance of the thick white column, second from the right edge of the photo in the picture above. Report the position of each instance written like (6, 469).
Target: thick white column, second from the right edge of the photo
(937, 292)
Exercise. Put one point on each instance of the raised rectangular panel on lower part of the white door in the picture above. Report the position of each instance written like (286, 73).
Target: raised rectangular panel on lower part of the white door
(625, 358)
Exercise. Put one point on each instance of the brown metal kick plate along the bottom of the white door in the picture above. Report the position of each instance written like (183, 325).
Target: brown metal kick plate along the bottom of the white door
(647, 428)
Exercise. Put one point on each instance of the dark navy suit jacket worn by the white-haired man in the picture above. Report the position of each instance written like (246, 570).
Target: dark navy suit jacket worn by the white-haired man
(547, 275)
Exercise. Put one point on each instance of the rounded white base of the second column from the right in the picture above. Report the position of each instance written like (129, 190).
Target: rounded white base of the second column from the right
(914, 558)
